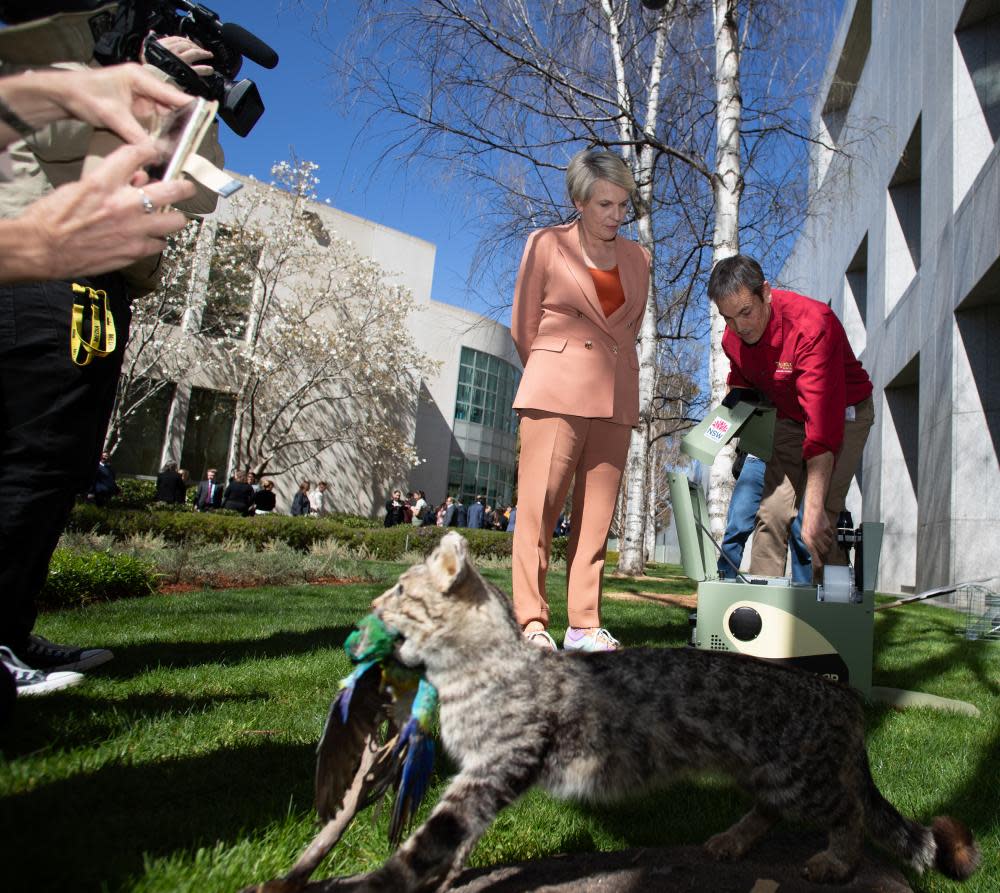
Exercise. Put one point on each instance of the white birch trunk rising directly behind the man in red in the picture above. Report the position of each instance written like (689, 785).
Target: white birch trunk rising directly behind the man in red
(728, 186)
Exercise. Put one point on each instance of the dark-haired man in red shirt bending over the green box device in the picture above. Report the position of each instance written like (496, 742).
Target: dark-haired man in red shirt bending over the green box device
(794, 351)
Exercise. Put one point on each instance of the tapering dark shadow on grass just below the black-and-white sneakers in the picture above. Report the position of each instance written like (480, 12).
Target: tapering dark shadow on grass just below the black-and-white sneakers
(67, 721)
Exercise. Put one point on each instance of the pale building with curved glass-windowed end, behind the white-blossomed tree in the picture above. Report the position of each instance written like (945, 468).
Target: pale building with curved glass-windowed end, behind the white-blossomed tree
(460, 420)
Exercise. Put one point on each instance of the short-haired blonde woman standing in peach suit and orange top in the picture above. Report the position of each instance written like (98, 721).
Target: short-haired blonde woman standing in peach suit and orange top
(578, 304)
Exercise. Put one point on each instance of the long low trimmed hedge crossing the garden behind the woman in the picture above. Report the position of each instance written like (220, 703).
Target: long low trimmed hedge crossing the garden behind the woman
(386, 543)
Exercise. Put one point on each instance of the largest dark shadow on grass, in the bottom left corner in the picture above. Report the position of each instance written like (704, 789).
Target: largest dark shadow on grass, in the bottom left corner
(94, 831)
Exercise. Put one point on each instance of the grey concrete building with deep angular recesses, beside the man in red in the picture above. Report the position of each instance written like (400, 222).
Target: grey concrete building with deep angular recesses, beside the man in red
(904, 238)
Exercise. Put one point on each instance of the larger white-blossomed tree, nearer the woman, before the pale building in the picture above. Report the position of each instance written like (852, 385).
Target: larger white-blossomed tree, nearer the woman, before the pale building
(310, 335)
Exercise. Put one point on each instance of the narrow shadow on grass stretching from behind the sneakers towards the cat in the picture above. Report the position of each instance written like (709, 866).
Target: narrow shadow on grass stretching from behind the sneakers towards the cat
(131, 660)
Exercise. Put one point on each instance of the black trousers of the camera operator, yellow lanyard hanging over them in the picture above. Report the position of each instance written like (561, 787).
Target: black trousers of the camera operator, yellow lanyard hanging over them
(53, 419)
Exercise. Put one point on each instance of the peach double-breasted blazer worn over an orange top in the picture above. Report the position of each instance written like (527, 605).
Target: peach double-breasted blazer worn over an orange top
(577, 361)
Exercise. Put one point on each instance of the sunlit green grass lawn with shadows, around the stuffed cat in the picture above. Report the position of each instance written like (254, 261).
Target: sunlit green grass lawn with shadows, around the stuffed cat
(187, 762)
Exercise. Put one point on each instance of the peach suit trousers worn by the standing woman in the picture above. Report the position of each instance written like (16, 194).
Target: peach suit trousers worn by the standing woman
(555, 449)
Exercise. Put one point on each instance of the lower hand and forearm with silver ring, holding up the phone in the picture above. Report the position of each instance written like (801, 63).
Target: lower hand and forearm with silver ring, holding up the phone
(99, 223)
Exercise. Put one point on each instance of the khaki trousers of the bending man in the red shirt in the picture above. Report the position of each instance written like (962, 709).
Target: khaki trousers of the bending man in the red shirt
(784, 483)
